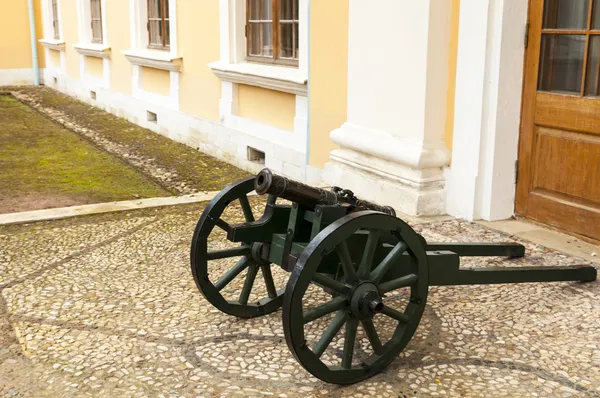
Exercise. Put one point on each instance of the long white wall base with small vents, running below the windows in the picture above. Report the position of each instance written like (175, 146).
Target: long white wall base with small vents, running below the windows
(222, 142)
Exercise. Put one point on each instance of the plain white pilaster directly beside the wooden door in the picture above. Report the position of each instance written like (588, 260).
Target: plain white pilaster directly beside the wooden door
(481, 180)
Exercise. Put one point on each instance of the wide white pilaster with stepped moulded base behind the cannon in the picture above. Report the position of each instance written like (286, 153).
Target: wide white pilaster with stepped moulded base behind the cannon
(391, 148)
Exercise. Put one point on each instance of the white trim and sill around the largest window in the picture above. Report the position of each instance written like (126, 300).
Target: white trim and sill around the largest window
(233, 67)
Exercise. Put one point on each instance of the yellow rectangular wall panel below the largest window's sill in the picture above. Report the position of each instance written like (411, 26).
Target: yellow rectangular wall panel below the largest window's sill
(268, 106)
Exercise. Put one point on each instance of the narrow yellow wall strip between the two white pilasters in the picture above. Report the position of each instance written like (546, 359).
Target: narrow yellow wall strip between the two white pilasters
(452, 59)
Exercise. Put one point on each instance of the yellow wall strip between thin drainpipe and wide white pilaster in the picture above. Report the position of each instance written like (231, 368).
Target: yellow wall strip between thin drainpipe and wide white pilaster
(328, 75)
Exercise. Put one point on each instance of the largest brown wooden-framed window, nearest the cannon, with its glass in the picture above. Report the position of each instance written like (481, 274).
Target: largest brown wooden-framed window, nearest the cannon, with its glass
(272, 31)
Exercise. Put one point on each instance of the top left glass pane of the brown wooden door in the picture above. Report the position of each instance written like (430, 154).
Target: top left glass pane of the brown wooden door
(565, 14)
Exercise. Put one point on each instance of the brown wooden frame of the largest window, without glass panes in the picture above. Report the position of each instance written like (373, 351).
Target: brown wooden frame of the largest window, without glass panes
(275, 59)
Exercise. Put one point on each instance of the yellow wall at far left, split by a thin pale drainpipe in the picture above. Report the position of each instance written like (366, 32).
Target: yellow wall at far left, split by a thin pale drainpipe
(15, 41)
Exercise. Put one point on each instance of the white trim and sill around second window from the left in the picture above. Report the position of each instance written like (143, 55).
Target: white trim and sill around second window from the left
(84, 20)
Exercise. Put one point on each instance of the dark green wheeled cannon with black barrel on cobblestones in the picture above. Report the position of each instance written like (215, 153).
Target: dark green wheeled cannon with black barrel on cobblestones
(346, 264)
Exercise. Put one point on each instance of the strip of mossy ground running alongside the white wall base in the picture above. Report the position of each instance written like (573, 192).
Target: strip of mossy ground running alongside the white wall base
(202, 171)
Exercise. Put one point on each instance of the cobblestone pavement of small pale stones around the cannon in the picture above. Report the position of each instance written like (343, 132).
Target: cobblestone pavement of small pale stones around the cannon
(106, 306)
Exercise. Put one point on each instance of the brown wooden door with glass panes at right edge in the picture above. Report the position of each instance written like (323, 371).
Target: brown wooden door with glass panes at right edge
(559, 152)
